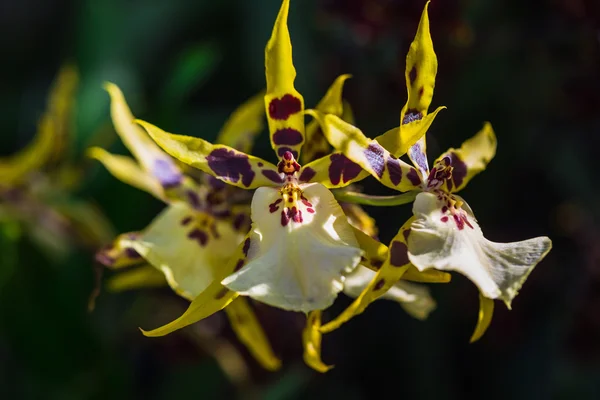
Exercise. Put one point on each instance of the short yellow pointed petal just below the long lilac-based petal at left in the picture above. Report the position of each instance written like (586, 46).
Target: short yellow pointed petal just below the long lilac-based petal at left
(125, 169)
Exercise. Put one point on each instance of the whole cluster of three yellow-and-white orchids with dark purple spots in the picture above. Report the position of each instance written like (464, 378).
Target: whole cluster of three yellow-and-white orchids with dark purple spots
(295, 244)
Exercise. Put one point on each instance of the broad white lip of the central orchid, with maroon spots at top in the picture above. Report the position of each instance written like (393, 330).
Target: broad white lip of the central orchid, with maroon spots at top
(297, 260)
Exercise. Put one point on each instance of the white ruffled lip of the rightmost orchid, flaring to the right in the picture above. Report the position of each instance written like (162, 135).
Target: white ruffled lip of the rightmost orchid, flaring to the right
(455, 243)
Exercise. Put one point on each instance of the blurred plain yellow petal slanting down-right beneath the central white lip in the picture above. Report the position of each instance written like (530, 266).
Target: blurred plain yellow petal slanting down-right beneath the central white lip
(246, 326)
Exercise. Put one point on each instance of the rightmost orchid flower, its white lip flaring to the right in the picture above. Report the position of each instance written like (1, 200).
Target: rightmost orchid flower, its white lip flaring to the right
(443, 234)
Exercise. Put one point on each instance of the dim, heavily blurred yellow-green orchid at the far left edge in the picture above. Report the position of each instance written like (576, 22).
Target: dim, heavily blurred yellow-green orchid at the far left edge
(36, 183)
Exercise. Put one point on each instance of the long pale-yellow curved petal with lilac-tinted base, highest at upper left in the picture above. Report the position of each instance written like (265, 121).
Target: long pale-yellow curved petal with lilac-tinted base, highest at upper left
(150, 156)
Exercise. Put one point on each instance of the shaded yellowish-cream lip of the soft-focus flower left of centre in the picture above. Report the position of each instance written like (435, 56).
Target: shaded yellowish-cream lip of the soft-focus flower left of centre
(188, 247)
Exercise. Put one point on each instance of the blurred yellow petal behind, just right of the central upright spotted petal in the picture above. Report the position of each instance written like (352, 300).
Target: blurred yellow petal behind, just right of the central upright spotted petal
(316, 145)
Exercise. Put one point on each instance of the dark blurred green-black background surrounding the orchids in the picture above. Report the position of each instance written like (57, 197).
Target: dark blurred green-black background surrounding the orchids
(532, 68)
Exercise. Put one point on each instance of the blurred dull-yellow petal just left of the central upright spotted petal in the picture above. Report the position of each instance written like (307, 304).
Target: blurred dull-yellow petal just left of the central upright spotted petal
(244, 124)
